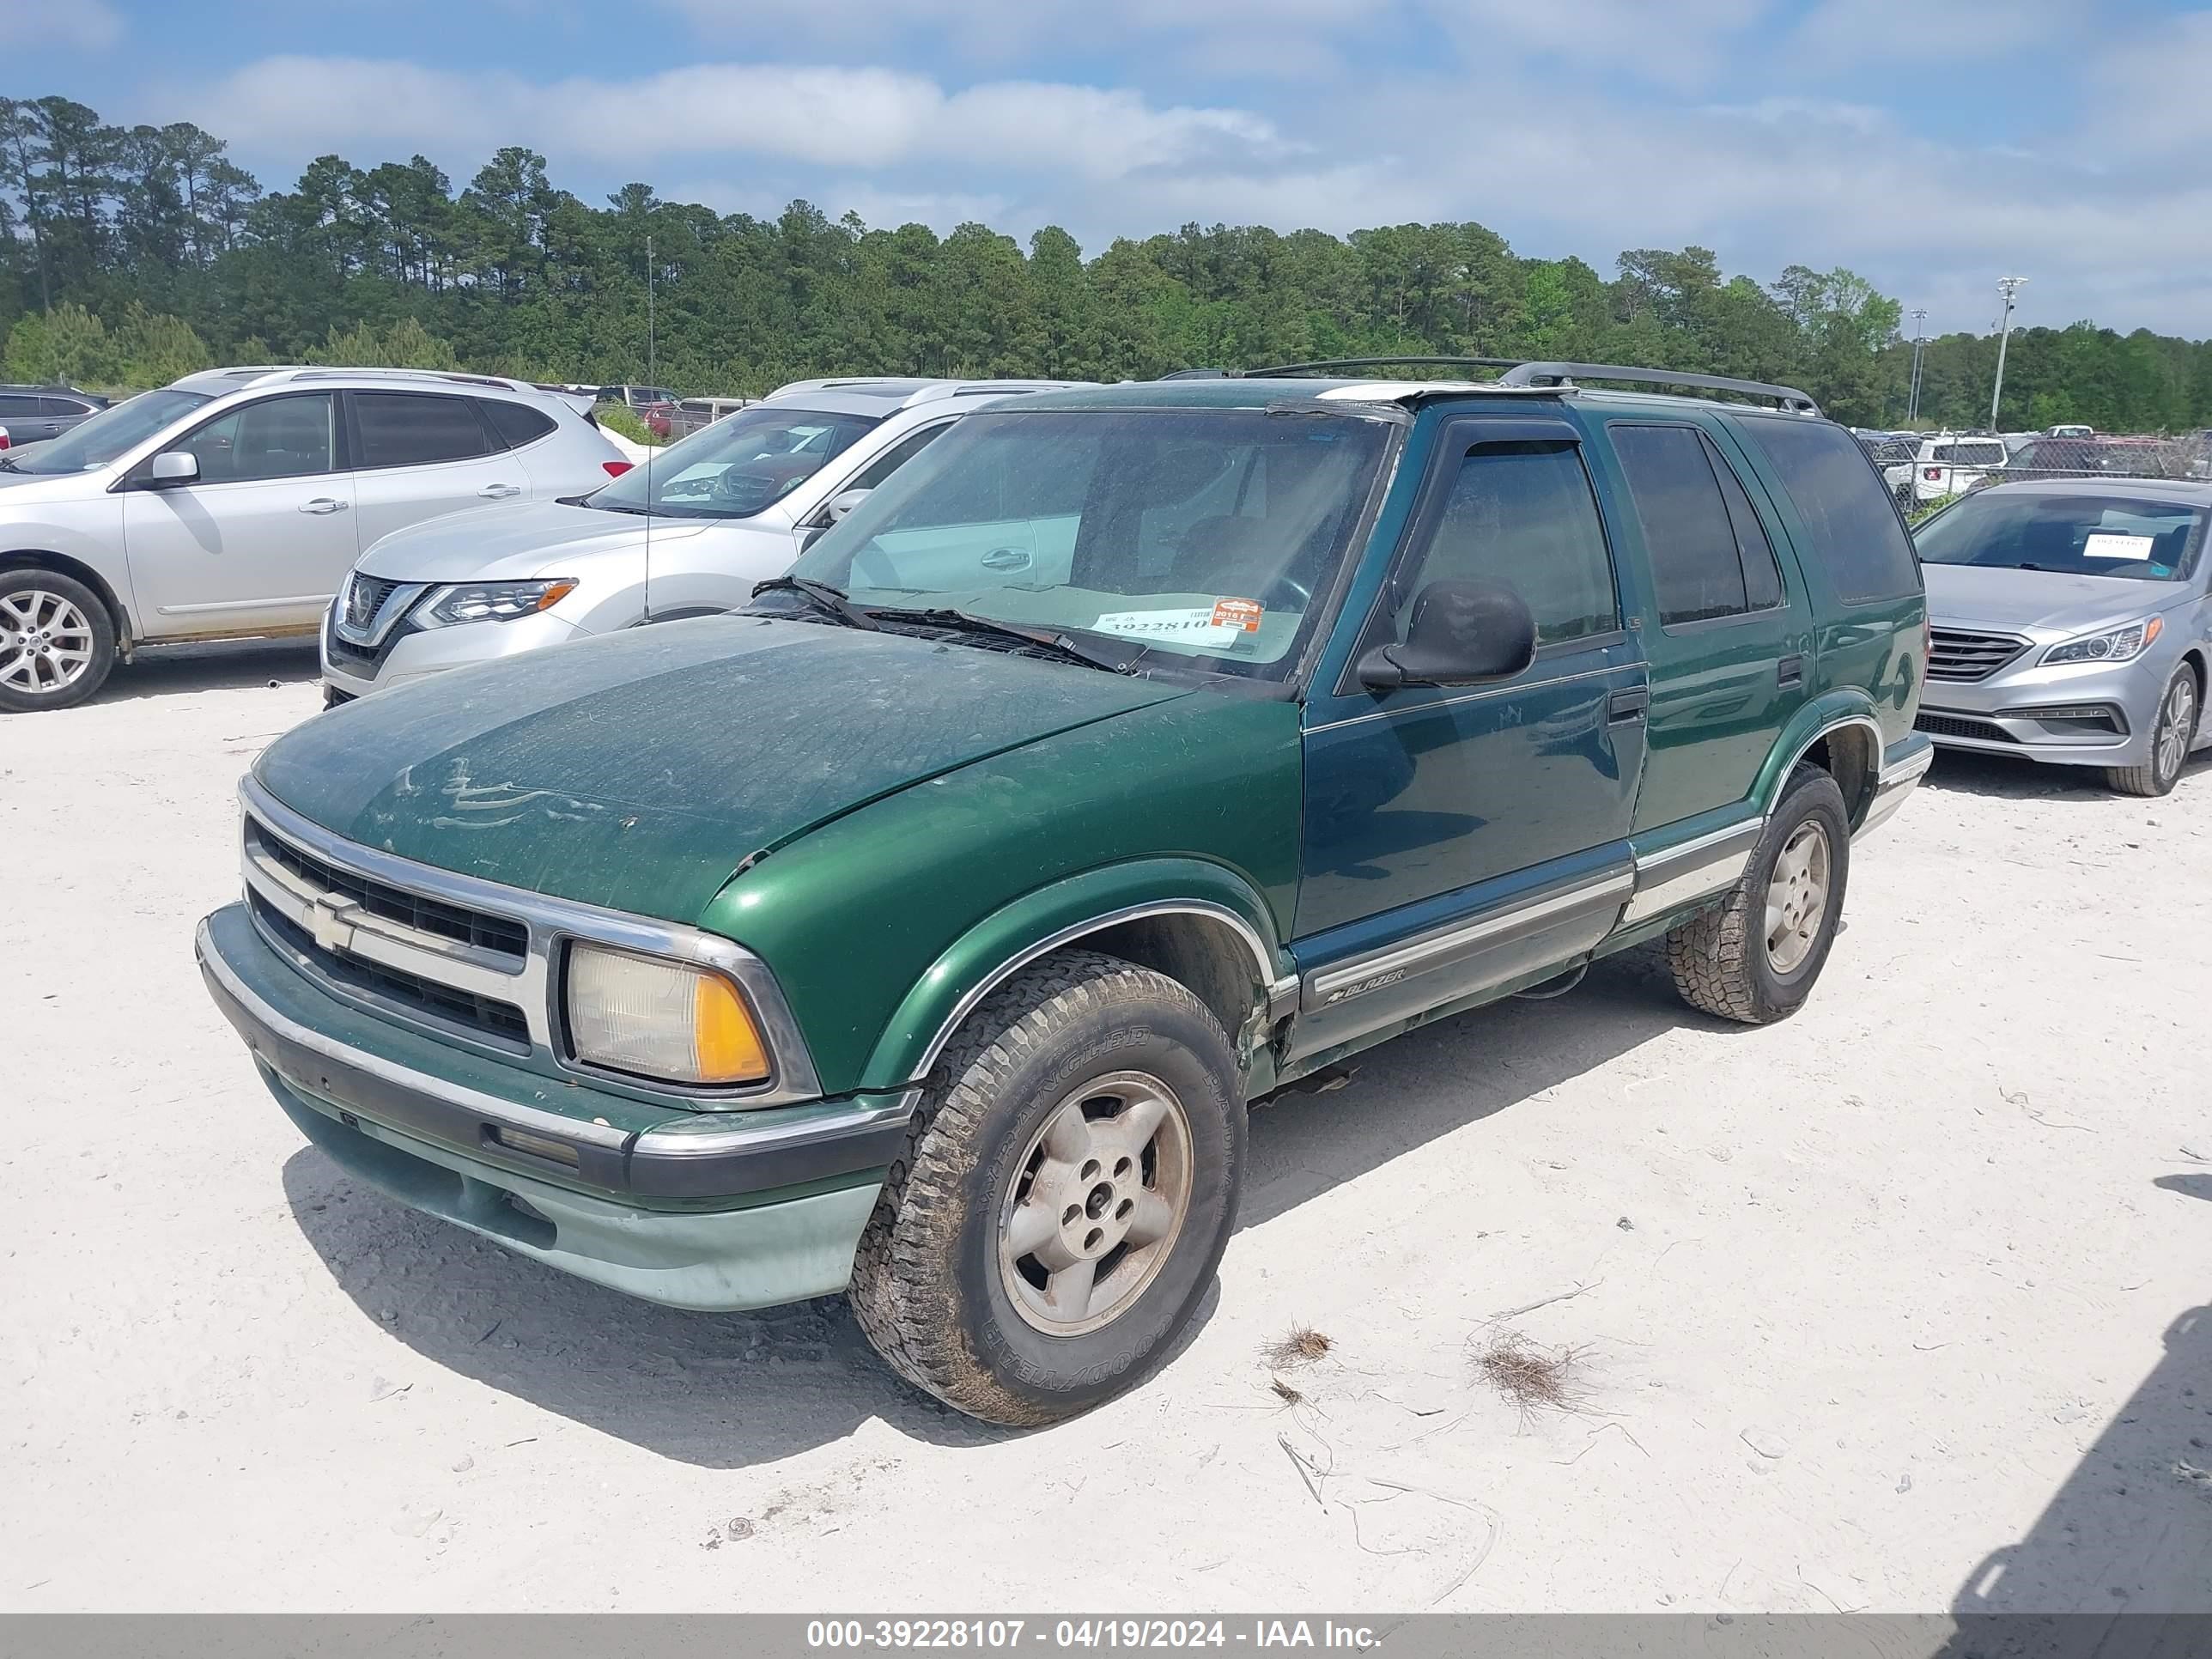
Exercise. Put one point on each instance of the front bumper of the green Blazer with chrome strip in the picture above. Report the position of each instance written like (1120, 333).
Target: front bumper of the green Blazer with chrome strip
(709, 1211)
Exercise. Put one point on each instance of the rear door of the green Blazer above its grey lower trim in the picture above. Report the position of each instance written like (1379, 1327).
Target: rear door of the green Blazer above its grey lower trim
(1724, 620)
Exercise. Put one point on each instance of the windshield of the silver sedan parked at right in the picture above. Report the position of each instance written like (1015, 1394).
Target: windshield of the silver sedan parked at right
(2072, 534)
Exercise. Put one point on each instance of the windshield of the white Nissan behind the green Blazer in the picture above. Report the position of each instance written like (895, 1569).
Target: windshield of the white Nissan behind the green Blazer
(738, 468)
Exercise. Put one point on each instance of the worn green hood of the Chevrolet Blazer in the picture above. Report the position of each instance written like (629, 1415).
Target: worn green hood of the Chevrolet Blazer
(638, 771)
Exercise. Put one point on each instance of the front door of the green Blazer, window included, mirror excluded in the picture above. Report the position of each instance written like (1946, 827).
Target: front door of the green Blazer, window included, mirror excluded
(1461, 837)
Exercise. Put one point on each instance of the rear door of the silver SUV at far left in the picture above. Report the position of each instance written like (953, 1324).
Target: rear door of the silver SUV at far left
(421, 455)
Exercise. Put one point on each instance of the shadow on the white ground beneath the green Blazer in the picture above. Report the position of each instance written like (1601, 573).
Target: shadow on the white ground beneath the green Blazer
(735, 1390)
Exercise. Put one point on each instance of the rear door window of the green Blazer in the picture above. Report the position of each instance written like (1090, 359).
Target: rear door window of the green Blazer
(1709, 554)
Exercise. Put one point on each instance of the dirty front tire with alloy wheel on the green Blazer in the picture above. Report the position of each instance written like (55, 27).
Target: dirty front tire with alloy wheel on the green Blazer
(1067, 1196)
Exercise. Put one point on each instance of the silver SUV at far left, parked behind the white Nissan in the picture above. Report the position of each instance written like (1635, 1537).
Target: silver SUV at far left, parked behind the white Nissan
(233, 503)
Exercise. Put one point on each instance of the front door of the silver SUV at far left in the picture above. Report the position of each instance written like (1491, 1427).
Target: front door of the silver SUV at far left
(262, 539)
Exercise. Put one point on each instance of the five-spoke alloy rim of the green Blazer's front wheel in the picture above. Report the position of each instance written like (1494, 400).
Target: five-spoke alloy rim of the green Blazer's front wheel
(1096, 1204)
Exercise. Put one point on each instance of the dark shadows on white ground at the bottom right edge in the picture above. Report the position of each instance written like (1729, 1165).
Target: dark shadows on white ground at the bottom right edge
(2129, 1534)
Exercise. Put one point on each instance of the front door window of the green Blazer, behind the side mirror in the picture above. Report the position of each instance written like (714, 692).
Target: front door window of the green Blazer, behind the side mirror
(1523, 514)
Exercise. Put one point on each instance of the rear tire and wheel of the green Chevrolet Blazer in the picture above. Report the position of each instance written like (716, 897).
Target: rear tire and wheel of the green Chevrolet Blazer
(1760, 952)
